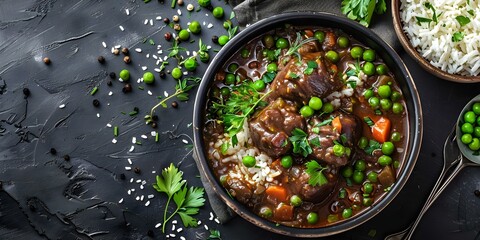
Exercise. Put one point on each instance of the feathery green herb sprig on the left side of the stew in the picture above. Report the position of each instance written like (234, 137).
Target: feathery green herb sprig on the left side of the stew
(244, 99)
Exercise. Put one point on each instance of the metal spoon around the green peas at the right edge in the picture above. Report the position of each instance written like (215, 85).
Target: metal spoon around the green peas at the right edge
(451, 157)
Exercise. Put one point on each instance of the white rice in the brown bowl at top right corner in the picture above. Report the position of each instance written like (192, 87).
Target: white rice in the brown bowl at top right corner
(434, 40)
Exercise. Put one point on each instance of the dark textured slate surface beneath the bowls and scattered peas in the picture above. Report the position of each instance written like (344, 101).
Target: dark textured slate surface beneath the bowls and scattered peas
(45, 197)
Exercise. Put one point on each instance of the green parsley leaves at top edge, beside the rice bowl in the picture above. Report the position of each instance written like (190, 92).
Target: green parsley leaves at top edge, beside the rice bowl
(362, 10)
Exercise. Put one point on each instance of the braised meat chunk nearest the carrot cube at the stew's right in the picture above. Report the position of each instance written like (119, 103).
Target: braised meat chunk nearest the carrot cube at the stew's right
(322, 138)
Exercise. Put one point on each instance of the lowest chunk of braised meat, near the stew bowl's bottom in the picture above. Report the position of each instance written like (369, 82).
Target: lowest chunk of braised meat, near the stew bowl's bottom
(298, 180)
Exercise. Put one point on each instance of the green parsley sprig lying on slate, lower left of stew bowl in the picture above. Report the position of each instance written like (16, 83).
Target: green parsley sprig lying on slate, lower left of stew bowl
(188, 200)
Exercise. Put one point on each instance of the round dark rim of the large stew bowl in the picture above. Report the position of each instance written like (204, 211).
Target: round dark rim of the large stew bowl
(415, 137)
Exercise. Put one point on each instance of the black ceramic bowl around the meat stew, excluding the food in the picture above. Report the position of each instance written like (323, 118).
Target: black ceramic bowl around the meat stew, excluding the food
(360, 33)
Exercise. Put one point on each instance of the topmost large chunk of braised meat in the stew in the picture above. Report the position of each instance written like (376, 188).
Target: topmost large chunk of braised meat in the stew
(293, 84)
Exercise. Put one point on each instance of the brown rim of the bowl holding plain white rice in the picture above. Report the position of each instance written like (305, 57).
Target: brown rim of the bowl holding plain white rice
(405, 42)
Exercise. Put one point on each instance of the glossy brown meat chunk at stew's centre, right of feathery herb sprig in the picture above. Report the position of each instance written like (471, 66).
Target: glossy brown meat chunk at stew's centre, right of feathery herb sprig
(271, 127)
